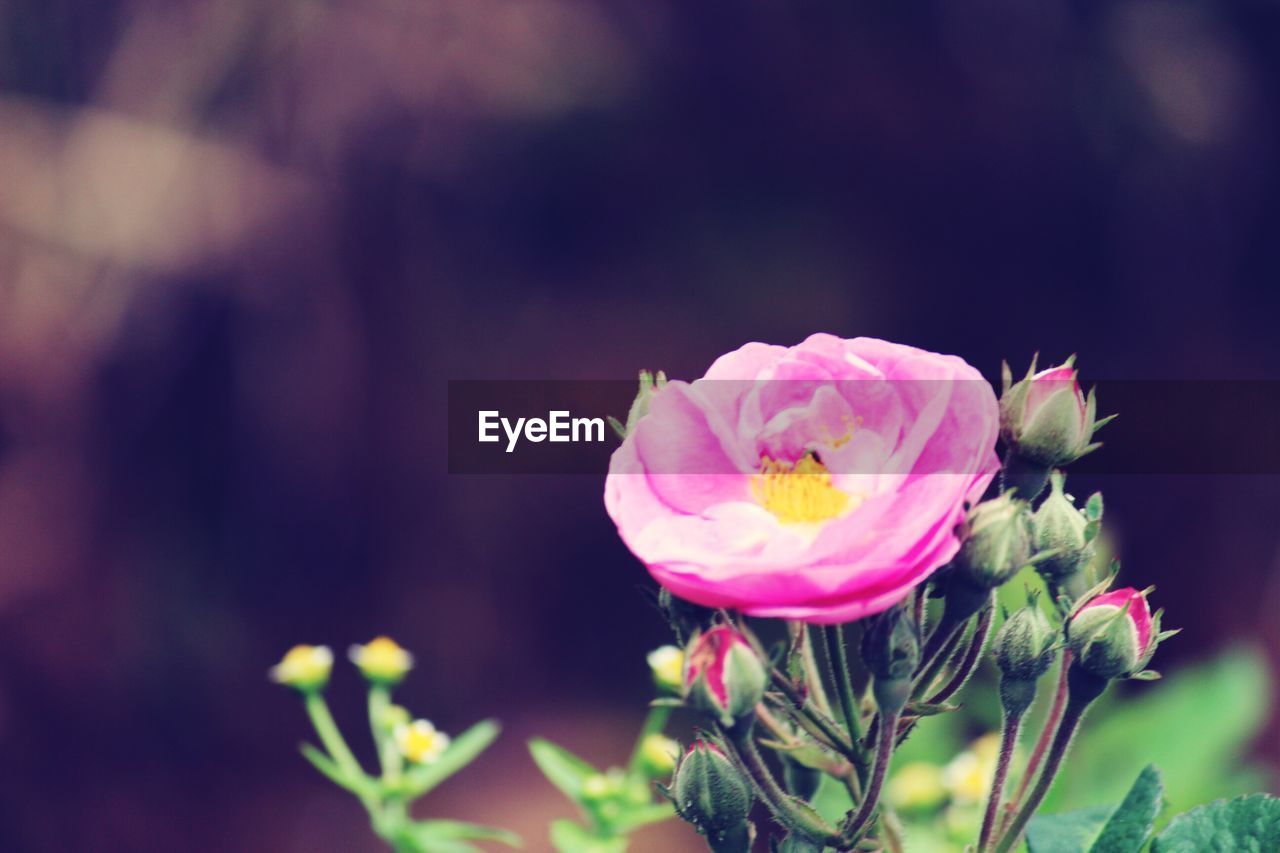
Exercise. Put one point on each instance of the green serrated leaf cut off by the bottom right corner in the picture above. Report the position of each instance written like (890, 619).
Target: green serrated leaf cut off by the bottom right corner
(1244, 825)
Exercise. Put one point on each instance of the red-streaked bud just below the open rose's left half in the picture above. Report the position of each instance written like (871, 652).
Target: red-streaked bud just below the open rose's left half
(724, 676)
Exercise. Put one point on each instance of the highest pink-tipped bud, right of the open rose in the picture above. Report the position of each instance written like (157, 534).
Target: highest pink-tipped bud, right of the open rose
(1046, 419)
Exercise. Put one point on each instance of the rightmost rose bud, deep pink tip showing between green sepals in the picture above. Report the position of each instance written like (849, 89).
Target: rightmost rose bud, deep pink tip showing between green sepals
(1116, 635)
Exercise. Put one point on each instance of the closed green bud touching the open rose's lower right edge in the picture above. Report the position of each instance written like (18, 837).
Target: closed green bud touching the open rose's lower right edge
(998, 542)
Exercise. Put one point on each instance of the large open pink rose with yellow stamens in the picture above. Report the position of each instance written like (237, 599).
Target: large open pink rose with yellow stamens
(821, 482)
